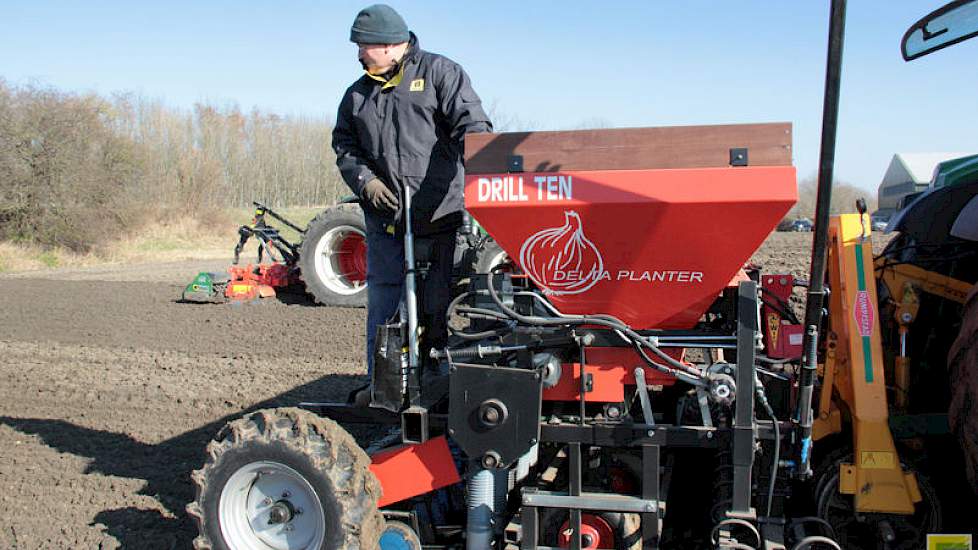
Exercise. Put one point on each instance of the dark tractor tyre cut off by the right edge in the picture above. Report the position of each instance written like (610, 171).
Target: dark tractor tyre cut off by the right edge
(963, 379)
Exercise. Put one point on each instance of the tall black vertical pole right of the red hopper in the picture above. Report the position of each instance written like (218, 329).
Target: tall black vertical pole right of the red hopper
(816, 289)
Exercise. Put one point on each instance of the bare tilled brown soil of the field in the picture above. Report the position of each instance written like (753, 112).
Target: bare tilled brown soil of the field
(111, 389)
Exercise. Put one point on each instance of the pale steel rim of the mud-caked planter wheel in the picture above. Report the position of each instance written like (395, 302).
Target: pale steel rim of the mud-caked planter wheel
(246, 502)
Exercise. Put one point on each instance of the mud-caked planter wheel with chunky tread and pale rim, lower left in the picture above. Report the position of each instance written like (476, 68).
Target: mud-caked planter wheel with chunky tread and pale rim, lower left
(320, 467)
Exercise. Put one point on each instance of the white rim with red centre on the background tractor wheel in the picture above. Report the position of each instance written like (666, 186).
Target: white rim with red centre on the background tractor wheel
(329, 261)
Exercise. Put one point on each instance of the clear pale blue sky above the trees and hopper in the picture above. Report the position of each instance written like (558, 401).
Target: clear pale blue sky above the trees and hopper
(544, 65)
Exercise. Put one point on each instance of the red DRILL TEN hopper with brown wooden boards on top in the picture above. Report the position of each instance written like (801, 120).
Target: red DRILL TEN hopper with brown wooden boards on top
(646, 224)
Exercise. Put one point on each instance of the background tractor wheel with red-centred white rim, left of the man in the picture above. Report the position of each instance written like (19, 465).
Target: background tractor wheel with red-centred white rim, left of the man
(332, 257)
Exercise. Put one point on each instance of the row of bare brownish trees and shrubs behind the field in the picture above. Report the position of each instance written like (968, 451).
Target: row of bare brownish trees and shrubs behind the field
(77, 169)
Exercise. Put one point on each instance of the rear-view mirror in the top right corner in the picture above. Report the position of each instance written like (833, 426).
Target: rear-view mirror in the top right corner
(948, 25)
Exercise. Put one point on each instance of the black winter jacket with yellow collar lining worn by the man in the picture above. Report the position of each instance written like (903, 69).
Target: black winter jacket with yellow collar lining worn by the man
(411, 133)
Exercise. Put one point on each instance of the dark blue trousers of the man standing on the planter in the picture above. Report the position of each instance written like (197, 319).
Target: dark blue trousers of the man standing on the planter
(385, 284)
